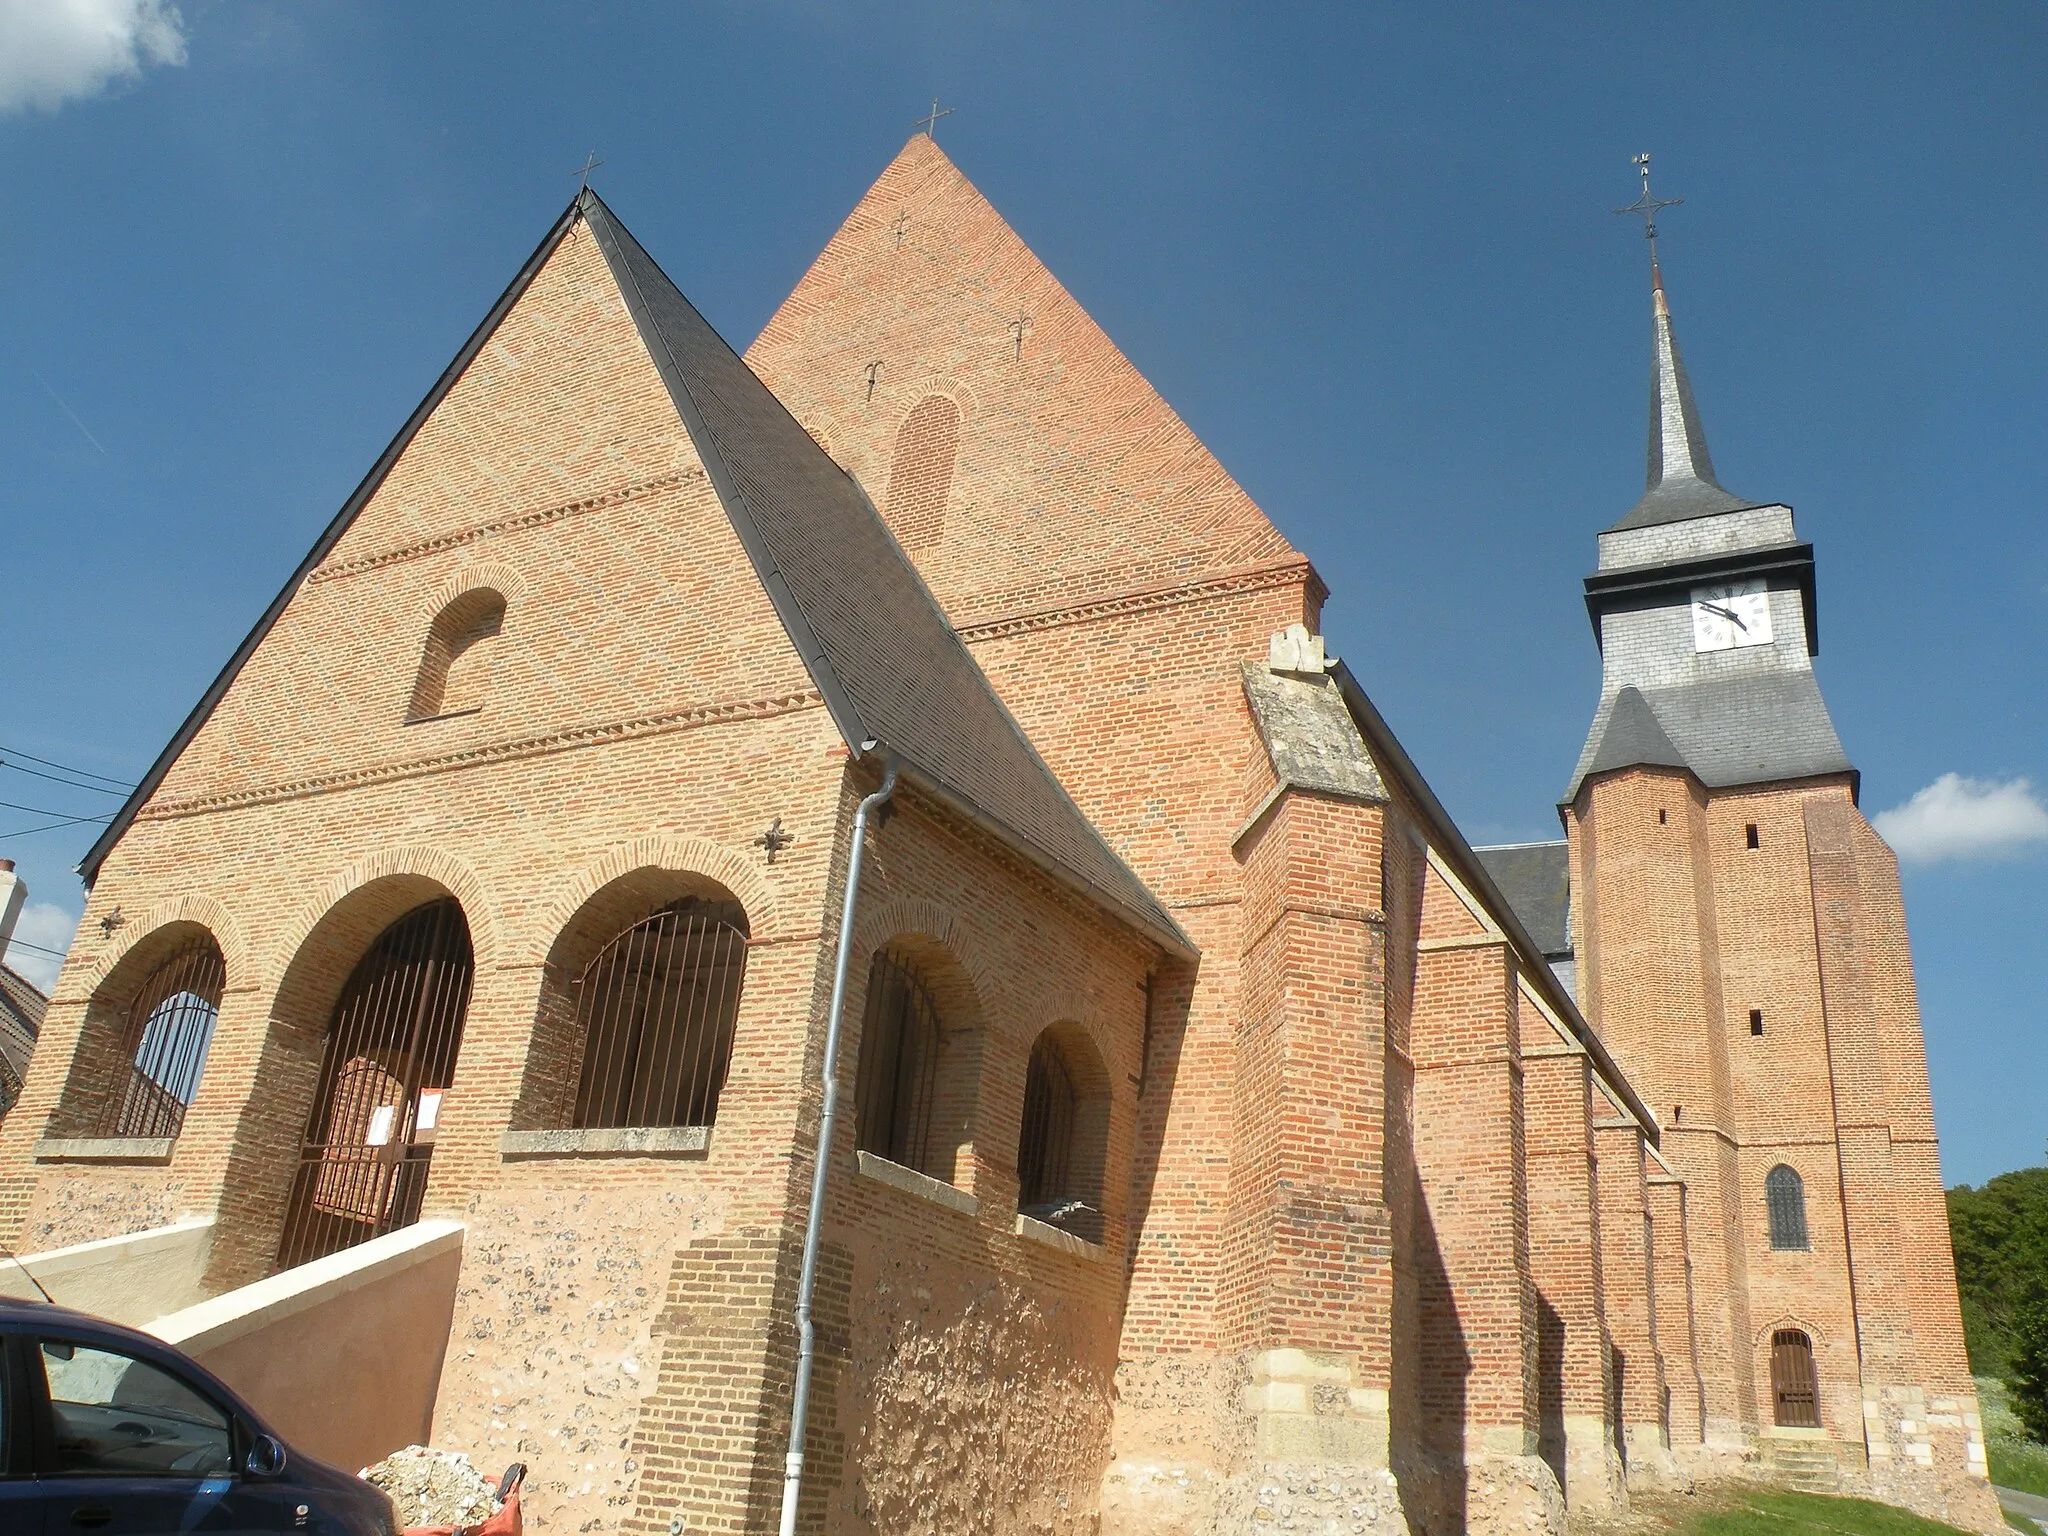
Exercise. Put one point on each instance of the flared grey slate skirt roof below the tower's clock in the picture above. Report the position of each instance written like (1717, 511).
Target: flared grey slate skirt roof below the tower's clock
(1748, 730)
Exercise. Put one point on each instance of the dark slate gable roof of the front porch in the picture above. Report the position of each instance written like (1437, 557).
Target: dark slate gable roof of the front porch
(894, 675)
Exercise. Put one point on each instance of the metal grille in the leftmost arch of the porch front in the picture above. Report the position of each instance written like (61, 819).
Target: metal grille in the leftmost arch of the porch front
(165, 1043)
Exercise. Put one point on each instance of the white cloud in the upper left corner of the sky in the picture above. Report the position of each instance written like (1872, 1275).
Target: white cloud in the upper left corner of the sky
(56, 50)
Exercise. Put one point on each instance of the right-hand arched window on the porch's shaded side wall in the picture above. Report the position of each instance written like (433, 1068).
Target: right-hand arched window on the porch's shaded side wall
(1064, 1138)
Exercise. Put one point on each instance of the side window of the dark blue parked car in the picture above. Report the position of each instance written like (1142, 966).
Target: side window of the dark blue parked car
(118, 1416)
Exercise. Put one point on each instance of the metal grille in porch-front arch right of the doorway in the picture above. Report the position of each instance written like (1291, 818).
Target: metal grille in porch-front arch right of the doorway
(656, 1013)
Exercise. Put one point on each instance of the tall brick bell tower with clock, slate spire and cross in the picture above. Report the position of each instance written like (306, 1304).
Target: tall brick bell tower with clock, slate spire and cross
(1742, 949)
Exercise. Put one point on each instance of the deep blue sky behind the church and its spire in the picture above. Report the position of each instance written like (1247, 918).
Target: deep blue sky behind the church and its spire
(1367, 253)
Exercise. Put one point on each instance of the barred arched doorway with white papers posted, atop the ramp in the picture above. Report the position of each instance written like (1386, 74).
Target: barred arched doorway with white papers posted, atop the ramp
(388, 1058)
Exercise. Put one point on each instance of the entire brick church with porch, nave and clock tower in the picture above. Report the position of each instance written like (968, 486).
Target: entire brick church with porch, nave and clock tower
(1218, 1142)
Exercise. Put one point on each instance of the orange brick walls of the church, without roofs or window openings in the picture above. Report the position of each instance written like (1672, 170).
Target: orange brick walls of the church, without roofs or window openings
(1381, 1250)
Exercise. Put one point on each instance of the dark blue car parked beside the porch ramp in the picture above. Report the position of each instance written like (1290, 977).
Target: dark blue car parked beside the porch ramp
(110, 1433)
